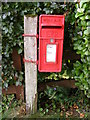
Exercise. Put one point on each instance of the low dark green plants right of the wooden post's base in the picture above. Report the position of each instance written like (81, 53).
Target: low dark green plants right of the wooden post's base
(60, 100)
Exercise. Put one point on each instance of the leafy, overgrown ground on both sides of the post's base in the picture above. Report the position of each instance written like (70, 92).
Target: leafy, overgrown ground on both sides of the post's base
(69, 105)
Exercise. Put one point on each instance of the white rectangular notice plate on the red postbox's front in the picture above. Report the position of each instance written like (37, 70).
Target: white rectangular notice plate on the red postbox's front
(51, 53)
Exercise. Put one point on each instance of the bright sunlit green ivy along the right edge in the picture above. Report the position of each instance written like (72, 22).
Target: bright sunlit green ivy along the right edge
(81, 71)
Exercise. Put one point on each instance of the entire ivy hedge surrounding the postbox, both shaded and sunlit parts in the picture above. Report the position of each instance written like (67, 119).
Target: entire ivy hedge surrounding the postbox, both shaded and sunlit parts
(77, 34)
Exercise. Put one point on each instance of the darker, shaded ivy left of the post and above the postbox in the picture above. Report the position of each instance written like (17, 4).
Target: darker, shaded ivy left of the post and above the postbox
(12, 30)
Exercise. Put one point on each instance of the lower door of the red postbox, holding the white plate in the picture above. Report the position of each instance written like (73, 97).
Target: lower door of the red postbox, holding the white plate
(51, 56)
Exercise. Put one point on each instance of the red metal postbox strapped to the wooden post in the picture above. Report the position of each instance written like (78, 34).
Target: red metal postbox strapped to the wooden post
(51, 36)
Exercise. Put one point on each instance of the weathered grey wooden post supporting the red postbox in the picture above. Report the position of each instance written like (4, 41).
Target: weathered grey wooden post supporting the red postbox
(30, 53)
